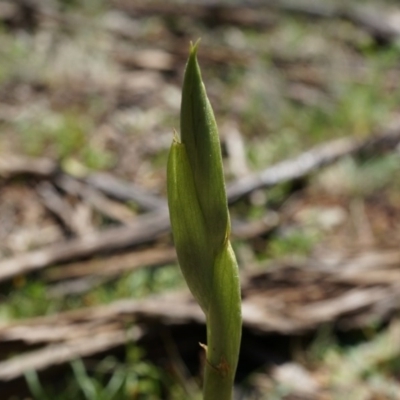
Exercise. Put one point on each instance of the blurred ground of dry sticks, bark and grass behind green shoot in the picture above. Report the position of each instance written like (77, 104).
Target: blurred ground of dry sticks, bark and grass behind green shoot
(306, 95)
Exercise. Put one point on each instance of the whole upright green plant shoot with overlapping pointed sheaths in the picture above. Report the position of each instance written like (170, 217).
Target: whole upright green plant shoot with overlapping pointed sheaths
(200, 225)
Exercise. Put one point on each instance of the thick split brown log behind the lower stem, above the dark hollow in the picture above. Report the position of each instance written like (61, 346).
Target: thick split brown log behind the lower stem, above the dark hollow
(282, 300)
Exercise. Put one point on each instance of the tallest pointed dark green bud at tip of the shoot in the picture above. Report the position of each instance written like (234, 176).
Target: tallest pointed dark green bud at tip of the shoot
(199, 134)
